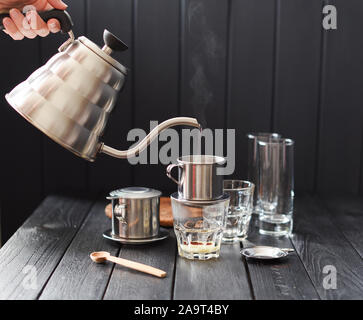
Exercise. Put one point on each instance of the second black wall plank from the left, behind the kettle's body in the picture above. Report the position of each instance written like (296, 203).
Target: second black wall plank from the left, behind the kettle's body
(63, 171)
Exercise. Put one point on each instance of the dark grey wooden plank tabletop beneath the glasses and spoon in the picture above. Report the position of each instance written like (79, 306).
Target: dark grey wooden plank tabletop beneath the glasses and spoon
(48, 258)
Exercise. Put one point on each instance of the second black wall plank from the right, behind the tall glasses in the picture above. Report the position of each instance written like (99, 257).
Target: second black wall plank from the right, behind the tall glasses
(296, 95)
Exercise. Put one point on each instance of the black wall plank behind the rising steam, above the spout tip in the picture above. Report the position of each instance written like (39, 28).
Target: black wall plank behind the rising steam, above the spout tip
(203, 68)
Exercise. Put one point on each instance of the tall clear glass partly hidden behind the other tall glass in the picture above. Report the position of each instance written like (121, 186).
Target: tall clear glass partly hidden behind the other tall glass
(252, 158)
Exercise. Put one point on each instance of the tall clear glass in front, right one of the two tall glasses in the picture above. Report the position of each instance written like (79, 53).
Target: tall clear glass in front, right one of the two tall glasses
(275, 194)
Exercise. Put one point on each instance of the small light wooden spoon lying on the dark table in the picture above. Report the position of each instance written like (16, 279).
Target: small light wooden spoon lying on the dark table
(102, 256)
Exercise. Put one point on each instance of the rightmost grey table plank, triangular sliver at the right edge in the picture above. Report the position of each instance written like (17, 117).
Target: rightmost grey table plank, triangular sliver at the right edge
(347, 214)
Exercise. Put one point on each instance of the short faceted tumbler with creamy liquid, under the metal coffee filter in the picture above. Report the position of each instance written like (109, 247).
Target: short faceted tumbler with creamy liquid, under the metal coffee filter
(198, 226)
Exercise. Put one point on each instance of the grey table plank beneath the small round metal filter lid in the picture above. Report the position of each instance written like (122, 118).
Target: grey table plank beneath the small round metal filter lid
(284, 279)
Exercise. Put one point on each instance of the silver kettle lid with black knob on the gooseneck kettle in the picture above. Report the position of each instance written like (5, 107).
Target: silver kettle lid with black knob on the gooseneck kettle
(112, 43)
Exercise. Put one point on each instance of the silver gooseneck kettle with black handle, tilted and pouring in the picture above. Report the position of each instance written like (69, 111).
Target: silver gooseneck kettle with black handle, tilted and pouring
(71, 97)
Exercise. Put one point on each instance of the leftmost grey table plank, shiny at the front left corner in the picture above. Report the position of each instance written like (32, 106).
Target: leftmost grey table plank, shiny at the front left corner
(37, 247)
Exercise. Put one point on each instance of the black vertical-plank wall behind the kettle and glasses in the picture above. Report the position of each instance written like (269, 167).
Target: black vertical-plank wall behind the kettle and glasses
(252, 65)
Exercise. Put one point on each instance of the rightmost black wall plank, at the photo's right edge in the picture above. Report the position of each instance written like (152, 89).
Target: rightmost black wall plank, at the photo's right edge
(340, 138)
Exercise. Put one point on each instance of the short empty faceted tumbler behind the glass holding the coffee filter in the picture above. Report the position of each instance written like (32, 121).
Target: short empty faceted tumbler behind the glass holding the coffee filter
(240, 209)
